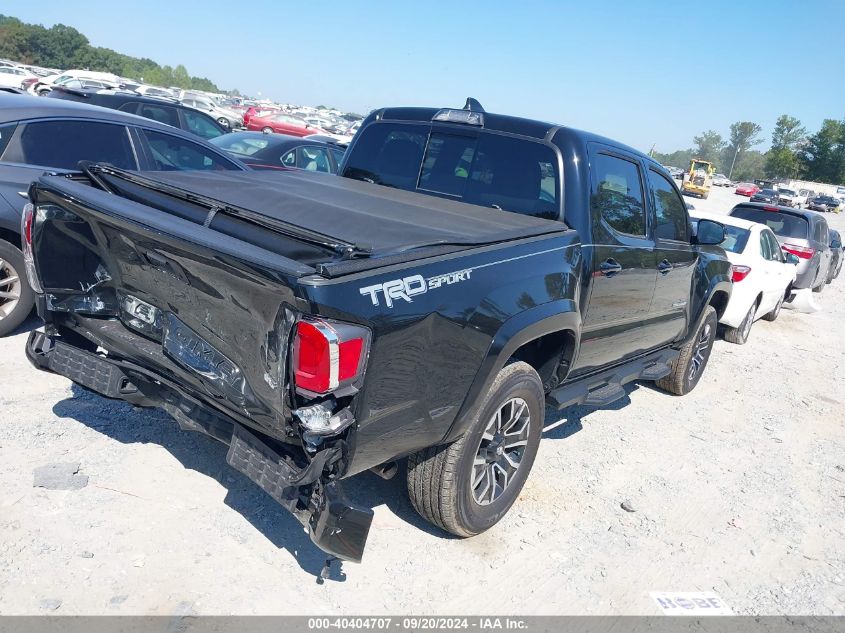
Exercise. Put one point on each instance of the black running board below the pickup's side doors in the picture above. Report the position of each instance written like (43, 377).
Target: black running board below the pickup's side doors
(604, 388)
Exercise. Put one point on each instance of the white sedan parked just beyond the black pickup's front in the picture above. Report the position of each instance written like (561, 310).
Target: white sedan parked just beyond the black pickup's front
(762, 274)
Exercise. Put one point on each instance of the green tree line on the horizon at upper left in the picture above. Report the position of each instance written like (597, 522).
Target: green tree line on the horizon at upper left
(64, 47)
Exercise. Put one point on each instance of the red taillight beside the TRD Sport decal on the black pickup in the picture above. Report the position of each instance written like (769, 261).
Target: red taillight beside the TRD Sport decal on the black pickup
(328, 355)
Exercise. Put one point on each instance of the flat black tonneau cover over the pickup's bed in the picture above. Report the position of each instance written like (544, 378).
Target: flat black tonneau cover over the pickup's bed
(373, 217)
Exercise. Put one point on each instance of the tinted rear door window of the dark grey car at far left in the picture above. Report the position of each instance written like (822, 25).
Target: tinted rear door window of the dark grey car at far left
(62, 144)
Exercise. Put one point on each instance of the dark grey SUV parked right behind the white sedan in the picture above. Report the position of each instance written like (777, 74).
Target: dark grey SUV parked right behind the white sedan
(804, 234)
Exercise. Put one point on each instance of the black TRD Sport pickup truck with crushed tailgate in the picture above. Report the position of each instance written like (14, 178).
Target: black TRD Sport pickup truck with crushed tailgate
(466, 271)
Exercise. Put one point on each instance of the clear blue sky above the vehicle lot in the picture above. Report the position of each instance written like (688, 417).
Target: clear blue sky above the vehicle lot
(640, 71)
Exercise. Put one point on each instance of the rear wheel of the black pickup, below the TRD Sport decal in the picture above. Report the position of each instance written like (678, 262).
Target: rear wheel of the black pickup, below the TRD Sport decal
(467, 486)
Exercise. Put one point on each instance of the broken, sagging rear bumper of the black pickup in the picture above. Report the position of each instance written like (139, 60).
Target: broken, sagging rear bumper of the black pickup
(335, 525)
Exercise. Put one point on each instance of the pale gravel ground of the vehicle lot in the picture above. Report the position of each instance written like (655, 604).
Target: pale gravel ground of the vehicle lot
(738, 488)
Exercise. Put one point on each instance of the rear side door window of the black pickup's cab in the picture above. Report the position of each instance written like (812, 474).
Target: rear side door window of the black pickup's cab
(617, 196)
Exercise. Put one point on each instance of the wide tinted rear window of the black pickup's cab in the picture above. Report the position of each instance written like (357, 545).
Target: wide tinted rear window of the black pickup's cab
(473, 166)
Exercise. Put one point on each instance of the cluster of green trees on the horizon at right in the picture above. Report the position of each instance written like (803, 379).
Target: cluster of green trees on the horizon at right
(819, 157)
